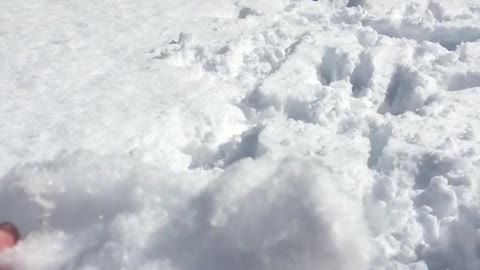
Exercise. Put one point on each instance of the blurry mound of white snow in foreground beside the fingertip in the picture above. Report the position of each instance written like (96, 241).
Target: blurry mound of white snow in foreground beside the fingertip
(94, 212)
